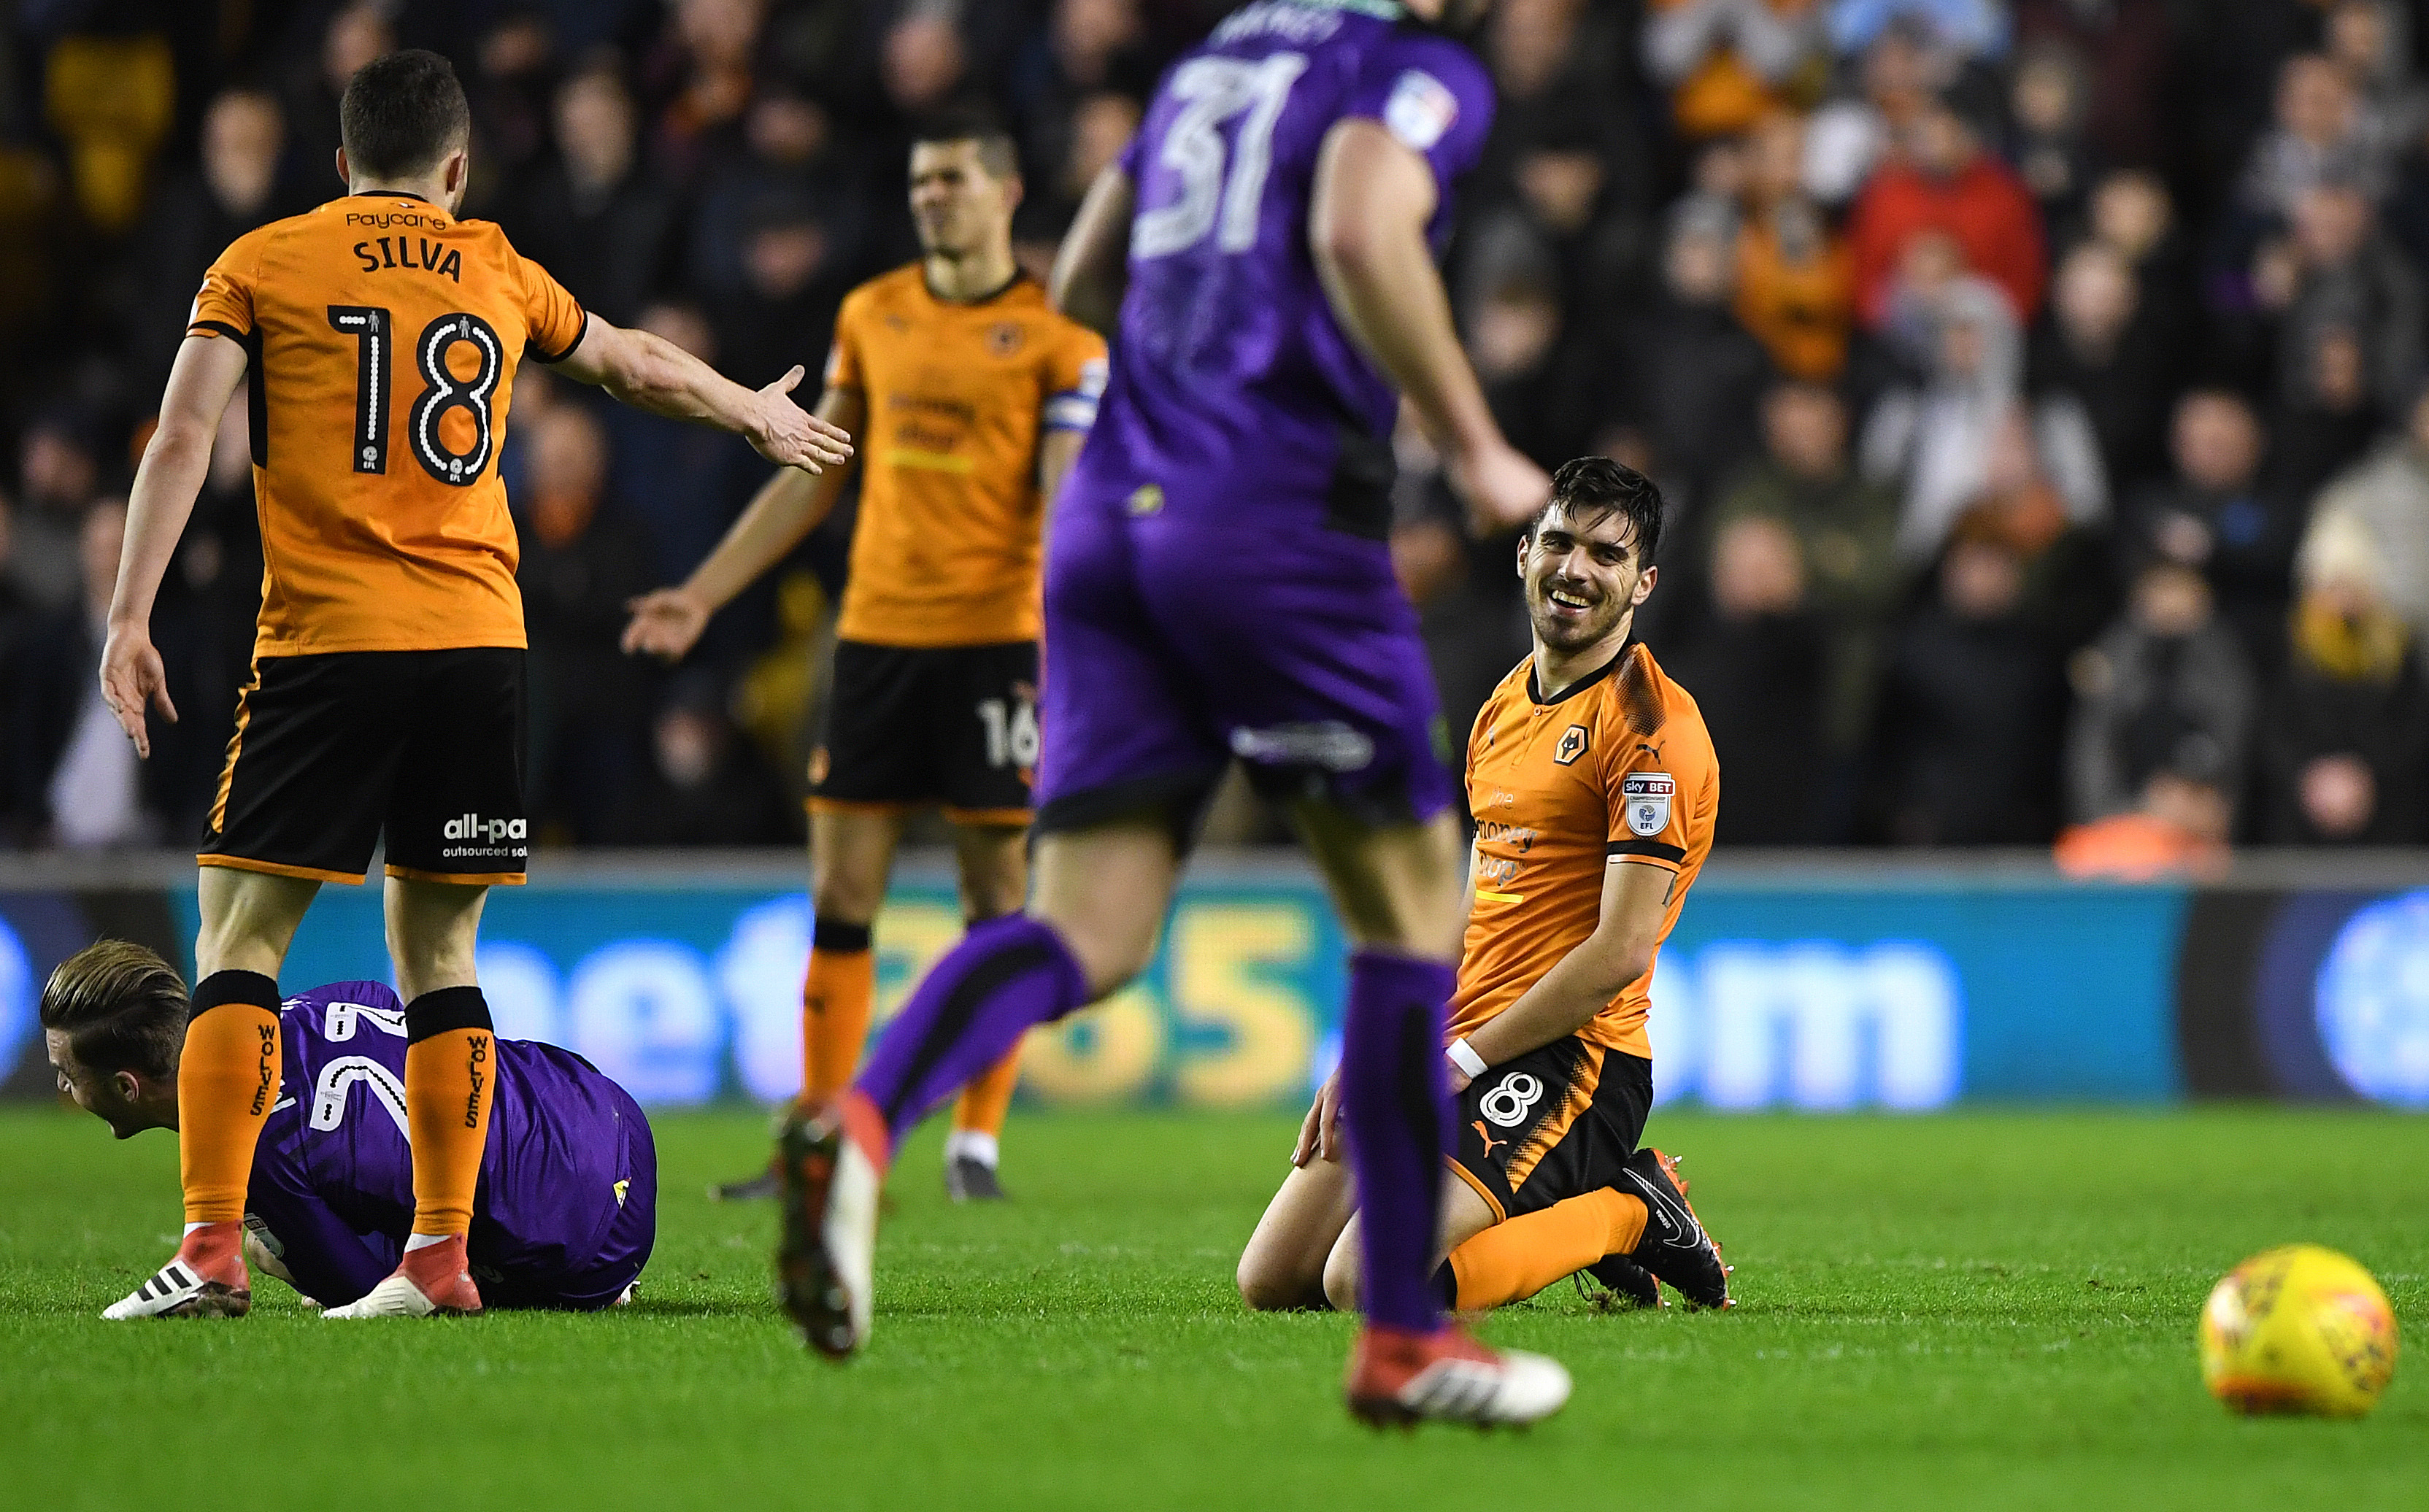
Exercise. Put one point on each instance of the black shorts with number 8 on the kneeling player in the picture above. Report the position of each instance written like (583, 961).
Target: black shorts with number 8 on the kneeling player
(1553, 1125)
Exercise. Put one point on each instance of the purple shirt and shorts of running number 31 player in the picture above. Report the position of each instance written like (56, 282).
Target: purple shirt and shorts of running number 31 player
(1218, 581)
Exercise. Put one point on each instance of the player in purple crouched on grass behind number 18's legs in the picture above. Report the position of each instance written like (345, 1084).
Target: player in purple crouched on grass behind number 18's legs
(570, 1181)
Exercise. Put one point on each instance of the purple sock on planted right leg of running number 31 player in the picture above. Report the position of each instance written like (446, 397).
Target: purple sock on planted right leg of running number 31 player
(1395, 1110)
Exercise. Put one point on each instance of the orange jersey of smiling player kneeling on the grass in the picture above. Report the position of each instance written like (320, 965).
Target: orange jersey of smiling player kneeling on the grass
(1619, 768)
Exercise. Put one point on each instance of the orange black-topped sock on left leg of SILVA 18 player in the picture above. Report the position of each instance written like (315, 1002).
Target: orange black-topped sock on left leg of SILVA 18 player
(227, 1084)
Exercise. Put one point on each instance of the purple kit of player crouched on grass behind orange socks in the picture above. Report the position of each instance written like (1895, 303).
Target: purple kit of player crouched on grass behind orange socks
(570, 1181)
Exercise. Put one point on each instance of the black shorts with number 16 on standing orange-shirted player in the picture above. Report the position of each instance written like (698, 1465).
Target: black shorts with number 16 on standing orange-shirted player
(949, 727)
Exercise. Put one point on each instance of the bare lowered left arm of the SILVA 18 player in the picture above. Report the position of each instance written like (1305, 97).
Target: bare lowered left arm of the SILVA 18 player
(171, 474)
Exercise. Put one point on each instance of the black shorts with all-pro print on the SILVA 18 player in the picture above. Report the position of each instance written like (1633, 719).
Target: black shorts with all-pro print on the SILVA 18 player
(341, 749)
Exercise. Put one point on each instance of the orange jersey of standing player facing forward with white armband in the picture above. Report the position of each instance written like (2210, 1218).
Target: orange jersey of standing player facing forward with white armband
(958, 402)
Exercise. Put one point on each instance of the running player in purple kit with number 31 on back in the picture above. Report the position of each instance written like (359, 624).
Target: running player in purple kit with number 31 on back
(1218, 589)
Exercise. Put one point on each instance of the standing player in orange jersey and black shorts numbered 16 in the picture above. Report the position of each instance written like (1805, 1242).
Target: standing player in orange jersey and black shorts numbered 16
(975, 397)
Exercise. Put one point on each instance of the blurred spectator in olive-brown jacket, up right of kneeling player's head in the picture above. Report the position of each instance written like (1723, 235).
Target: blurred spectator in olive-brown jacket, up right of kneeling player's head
(1845, 530)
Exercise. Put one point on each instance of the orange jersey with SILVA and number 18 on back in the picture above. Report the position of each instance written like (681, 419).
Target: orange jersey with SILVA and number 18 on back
(383, 341)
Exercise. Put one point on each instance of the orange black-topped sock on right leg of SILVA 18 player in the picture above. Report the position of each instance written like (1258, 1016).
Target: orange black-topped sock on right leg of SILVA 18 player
(451, 1079)
